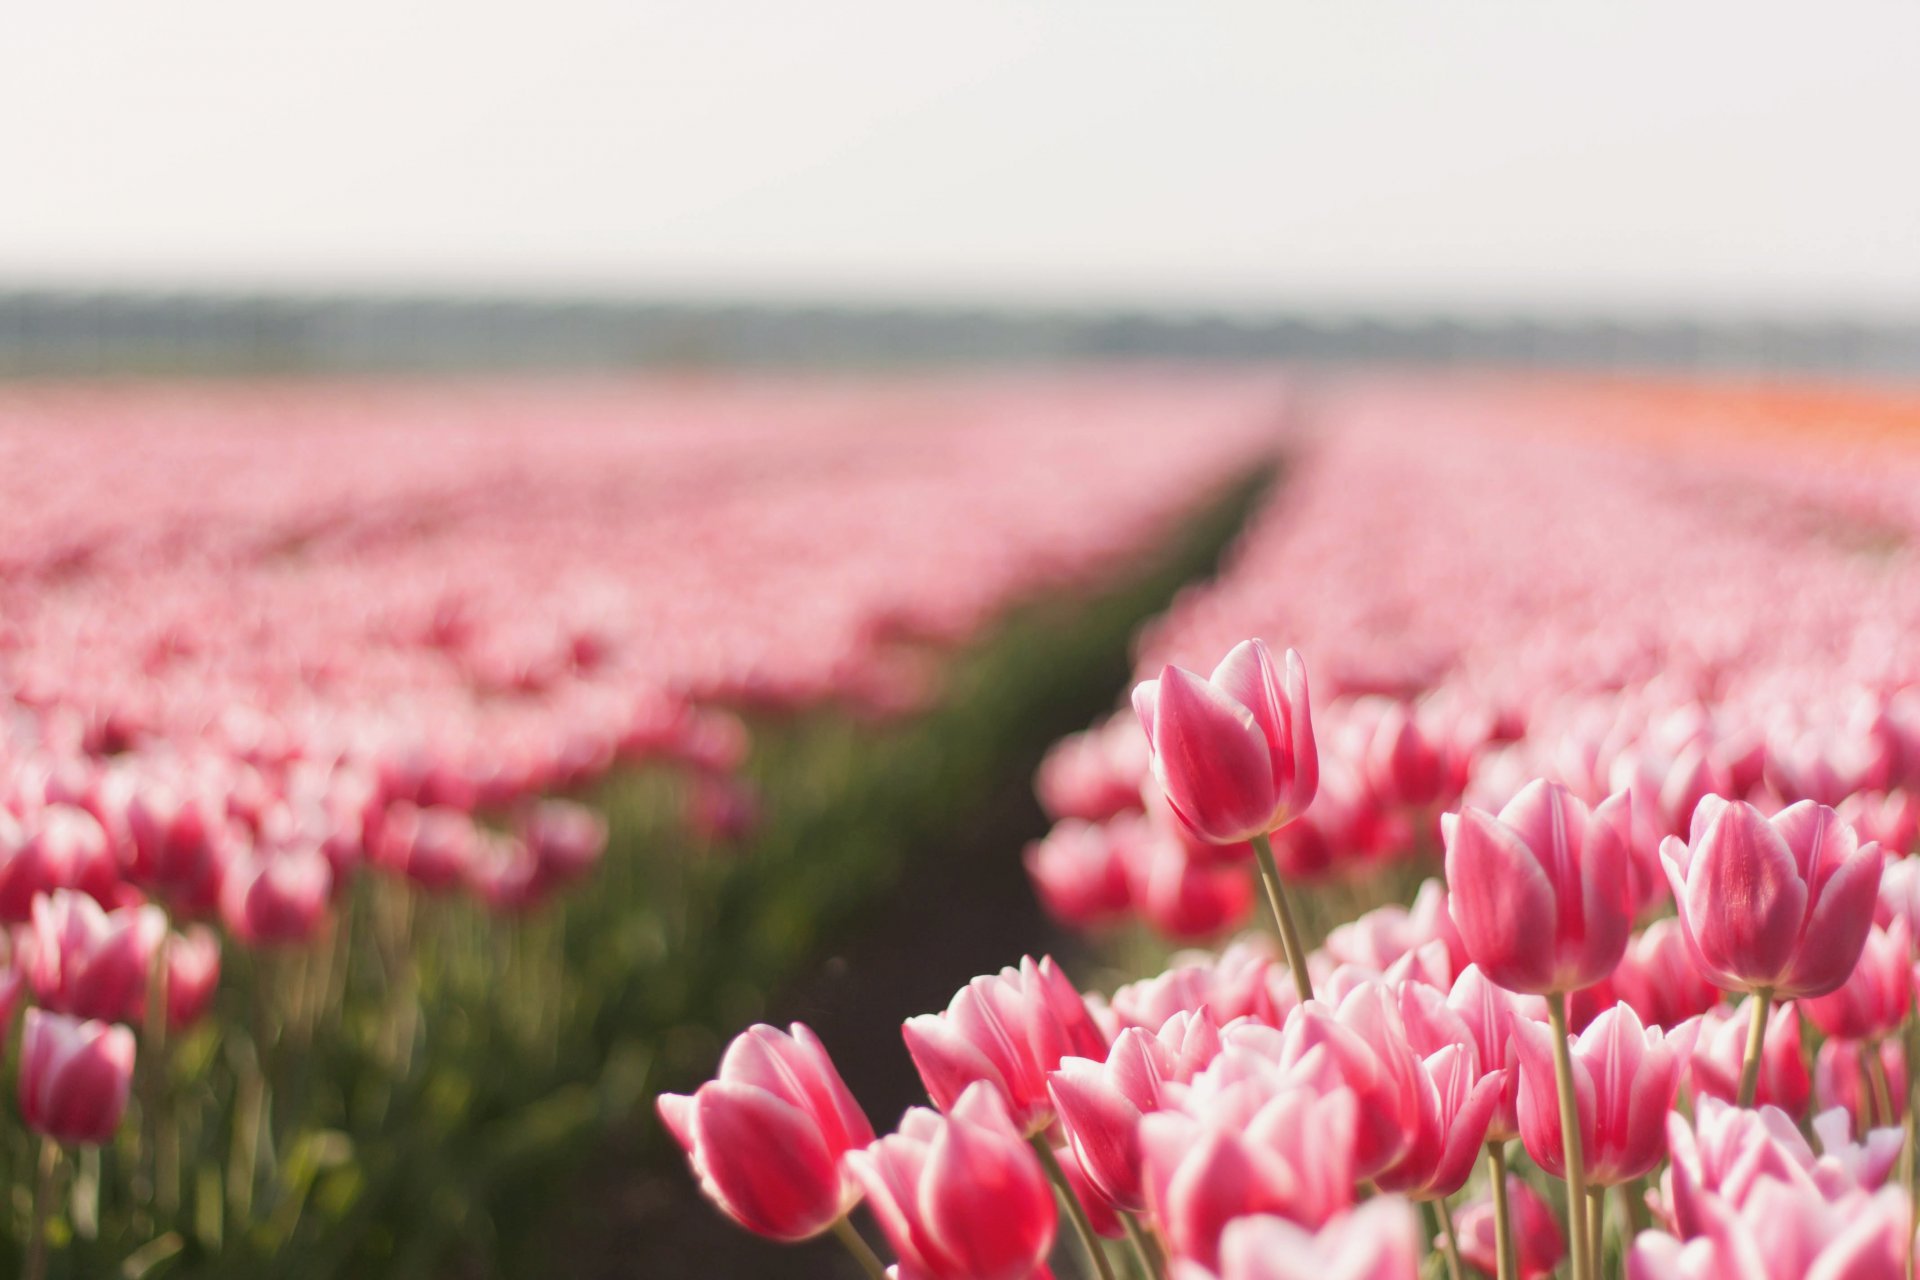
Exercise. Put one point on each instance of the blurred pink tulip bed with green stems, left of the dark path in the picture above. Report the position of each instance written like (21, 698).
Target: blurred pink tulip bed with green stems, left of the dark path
(302, 692)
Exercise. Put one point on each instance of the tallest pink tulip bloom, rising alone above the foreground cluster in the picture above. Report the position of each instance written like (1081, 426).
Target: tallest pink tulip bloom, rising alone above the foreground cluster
(1234, 753)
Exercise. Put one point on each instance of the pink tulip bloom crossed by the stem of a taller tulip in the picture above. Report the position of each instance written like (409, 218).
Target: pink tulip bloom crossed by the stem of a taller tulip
(1625, 1079)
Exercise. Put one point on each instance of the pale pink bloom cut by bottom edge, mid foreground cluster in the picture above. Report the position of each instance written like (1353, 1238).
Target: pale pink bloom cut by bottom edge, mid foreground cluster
(1378, 1241)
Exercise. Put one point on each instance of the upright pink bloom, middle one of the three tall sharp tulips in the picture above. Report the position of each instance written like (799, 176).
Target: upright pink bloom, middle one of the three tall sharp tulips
(1543, 891)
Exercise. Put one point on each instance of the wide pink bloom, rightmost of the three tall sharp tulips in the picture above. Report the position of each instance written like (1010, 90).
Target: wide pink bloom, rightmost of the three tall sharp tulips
(1777, 905)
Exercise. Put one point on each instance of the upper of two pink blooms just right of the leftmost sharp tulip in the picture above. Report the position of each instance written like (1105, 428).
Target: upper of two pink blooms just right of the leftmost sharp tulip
(1009, 1030)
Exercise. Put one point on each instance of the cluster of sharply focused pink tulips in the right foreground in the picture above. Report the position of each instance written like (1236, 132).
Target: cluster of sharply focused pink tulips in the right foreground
(1264, 1114)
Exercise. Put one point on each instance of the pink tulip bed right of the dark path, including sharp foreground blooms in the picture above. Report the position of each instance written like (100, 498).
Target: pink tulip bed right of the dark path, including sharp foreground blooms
(1585, 866)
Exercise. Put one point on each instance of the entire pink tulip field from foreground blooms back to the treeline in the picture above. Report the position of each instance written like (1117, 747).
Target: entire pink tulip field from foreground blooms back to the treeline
(425, 803)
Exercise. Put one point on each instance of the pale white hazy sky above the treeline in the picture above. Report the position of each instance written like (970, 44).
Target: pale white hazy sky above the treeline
(1621, 156)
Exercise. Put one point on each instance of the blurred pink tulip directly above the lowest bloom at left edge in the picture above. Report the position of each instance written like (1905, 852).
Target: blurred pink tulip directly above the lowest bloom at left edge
(89, 962)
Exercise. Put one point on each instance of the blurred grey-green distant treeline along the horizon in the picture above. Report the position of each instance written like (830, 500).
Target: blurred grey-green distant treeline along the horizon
(64, 335)
